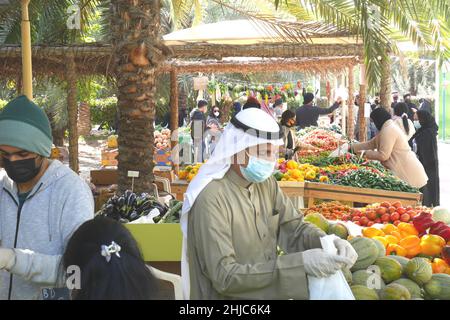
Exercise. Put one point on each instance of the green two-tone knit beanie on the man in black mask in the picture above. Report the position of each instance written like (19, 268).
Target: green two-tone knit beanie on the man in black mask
(25, 126)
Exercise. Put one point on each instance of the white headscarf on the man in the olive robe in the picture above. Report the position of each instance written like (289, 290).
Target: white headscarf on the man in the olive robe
(232, 141)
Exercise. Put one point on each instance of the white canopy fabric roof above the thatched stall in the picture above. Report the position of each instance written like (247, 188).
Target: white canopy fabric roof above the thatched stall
(246, 32)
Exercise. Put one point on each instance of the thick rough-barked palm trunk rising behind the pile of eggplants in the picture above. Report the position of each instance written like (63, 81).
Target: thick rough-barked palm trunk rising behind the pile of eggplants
(135, 32)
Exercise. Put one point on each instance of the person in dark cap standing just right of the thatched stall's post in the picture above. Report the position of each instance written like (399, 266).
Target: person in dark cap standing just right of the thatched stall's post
(198, 128)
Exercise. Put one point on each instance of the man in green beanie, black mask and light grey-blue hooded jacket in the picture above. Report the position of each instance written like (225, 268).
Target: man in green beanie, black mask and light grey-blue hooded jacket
(42, 202)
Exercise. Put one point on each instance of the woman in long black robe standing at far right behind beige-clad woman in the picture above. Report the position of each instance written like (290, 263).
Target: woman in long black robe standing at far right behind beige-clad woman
(425, 140)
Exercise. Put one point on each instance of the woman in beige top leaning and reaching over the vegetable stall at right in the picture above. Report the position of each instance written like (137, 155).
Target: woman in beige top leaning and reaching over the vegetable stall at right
(391, 148)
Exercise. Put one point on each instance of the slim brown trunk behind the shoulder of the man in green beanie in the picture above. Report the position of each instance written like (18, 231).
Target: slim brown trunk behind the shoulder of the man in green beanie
(72, 113)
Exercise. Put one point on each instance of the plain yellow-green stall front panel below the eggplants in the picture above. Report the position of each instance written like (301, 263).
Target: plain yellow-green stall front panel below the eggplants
(158, 242)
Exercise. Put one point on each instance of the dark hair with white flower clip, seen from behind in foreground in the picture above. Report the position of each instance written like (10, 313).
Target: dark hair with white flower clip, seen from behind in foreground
(122, 278)
